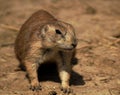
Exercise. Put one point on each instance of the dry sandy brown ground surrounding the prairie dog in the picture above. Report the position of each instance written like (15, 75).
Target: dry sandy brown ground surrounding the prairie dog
(97, 24)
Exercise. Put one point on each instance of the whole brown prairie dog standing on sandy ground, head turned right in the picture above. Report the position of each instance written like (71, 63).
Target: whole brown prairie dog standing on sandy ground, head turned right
(44, 38)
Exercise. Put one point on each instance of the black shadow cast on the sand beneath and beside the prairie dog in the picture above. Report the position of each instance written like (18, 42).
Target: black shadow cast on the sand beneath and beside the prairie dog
(48, 72)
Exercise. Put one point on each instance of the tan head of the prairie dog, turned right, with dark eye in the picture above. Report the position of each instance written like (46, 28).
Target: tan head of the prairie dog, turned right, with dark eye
(58, 35)
